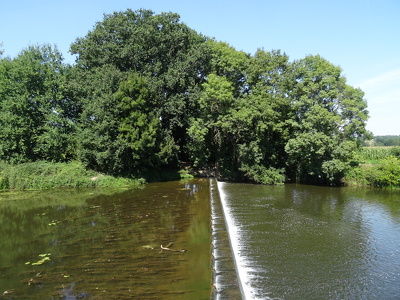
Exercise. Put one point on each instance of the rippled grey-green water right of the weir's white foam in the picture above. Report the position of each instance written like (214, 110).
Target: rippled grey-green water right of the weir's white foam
(306, 242)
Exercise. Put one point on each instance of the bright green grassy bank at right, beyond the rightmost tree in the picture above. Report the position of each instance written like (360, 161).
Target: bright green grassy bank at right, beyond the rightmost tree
(377, 167)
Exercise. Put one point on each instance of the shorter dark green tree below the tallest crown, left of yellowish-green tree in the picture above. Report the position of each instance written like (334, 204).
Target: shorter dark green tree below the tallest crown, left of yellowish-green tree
(98, 146)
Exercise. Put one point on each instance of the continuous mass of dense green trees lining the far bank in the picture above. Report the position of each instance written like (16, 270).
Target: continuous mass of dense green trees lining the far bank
(149, 93)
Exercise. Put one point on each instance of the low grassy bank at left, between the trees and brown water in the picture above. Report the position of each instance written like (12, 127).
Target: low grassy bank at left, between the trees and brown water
(46, 175)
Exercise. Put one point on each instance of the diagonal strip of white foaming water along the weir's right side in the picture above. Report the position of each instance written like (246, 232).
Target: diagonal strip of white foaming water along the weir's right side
(234, 232)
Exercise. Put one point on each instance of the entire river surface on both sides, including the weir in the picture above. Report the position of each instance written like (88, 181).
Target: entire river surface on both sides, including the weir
(237, 241)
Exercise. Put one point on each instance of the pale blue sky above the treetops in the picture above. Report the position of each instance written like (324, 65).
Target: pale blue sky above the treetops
(361, 36)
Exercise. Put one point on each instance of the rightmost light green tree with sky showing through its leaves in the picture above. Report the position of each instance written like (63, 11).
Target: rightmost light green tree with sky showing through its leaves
(329, 121)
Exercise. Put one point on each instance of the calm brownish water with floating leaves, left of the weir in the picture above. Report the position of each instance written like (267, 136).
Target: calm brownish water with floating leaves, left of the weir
(104, 244)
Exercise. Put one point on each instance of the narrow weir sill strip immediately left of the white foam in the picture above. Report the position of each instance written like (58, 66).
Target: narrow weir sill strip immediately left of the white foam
(225, 279)
